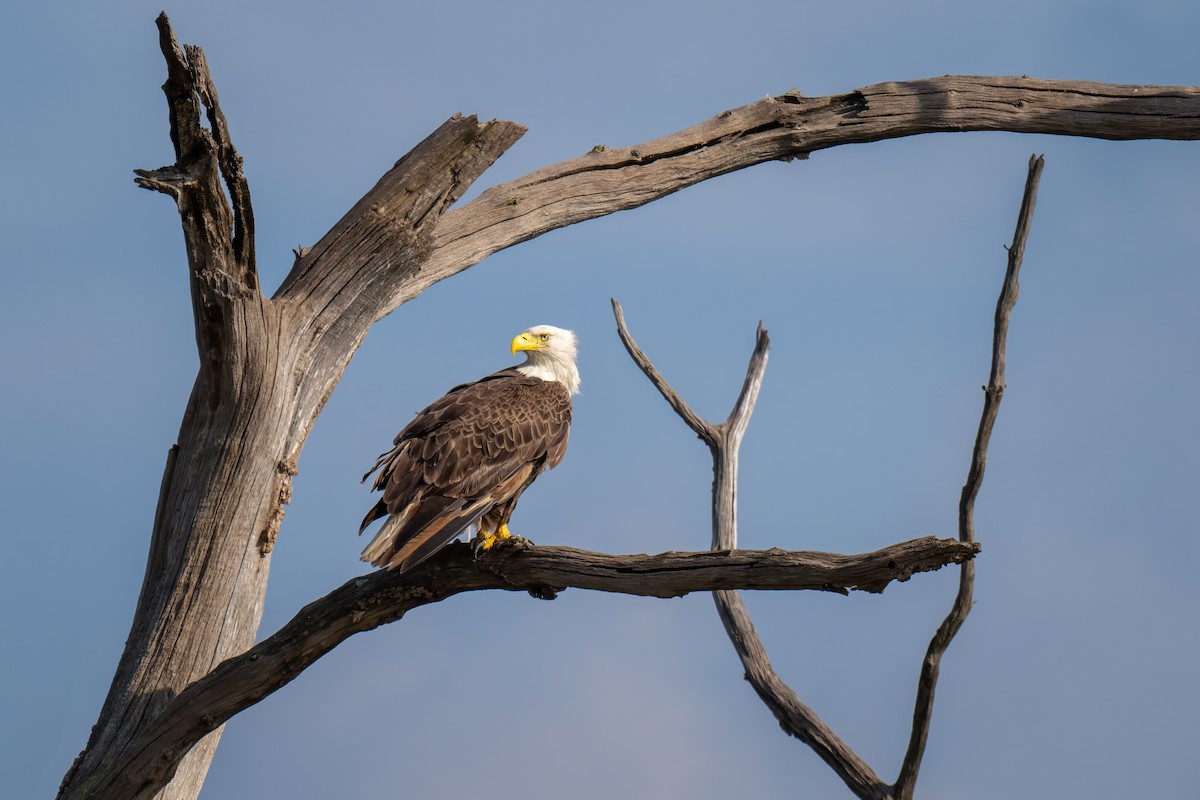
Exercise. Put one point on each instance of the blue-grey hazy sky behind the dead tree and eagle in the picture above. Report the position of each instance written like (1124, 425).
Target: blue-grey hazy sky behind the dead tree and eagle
(875, 269)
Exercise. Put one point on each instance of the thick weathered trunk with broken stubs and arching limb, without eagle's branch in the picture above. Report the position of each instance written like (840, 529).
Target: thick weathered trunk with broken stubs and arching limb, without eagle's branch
(269, 364)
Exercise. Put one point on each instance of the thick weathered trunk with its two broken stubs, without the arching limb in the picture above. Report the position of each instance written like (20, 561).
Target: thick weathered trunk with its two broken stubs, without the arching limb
(267, 368)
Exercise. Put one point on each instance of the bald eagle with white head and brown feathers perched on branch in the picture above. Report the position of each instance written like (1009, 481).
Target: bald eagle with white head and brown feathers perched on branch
(466, 460)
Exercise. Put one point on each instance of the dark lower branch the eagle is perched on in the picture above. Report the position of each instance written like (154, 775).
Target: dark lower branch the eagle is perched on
(382, 598)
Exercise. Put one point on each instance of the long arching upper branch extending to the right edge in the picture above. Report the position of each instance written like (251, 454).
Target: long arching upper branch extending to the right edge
(791, 127)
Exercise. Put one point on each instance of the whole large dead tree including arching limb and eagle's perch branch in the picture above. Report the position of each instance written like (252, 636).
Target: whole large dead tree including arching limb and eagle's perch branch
(269, 364)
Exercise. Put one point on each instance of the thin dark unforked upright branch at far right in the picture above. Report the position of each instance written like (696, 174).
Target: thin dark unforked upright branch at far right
(994, 393)
